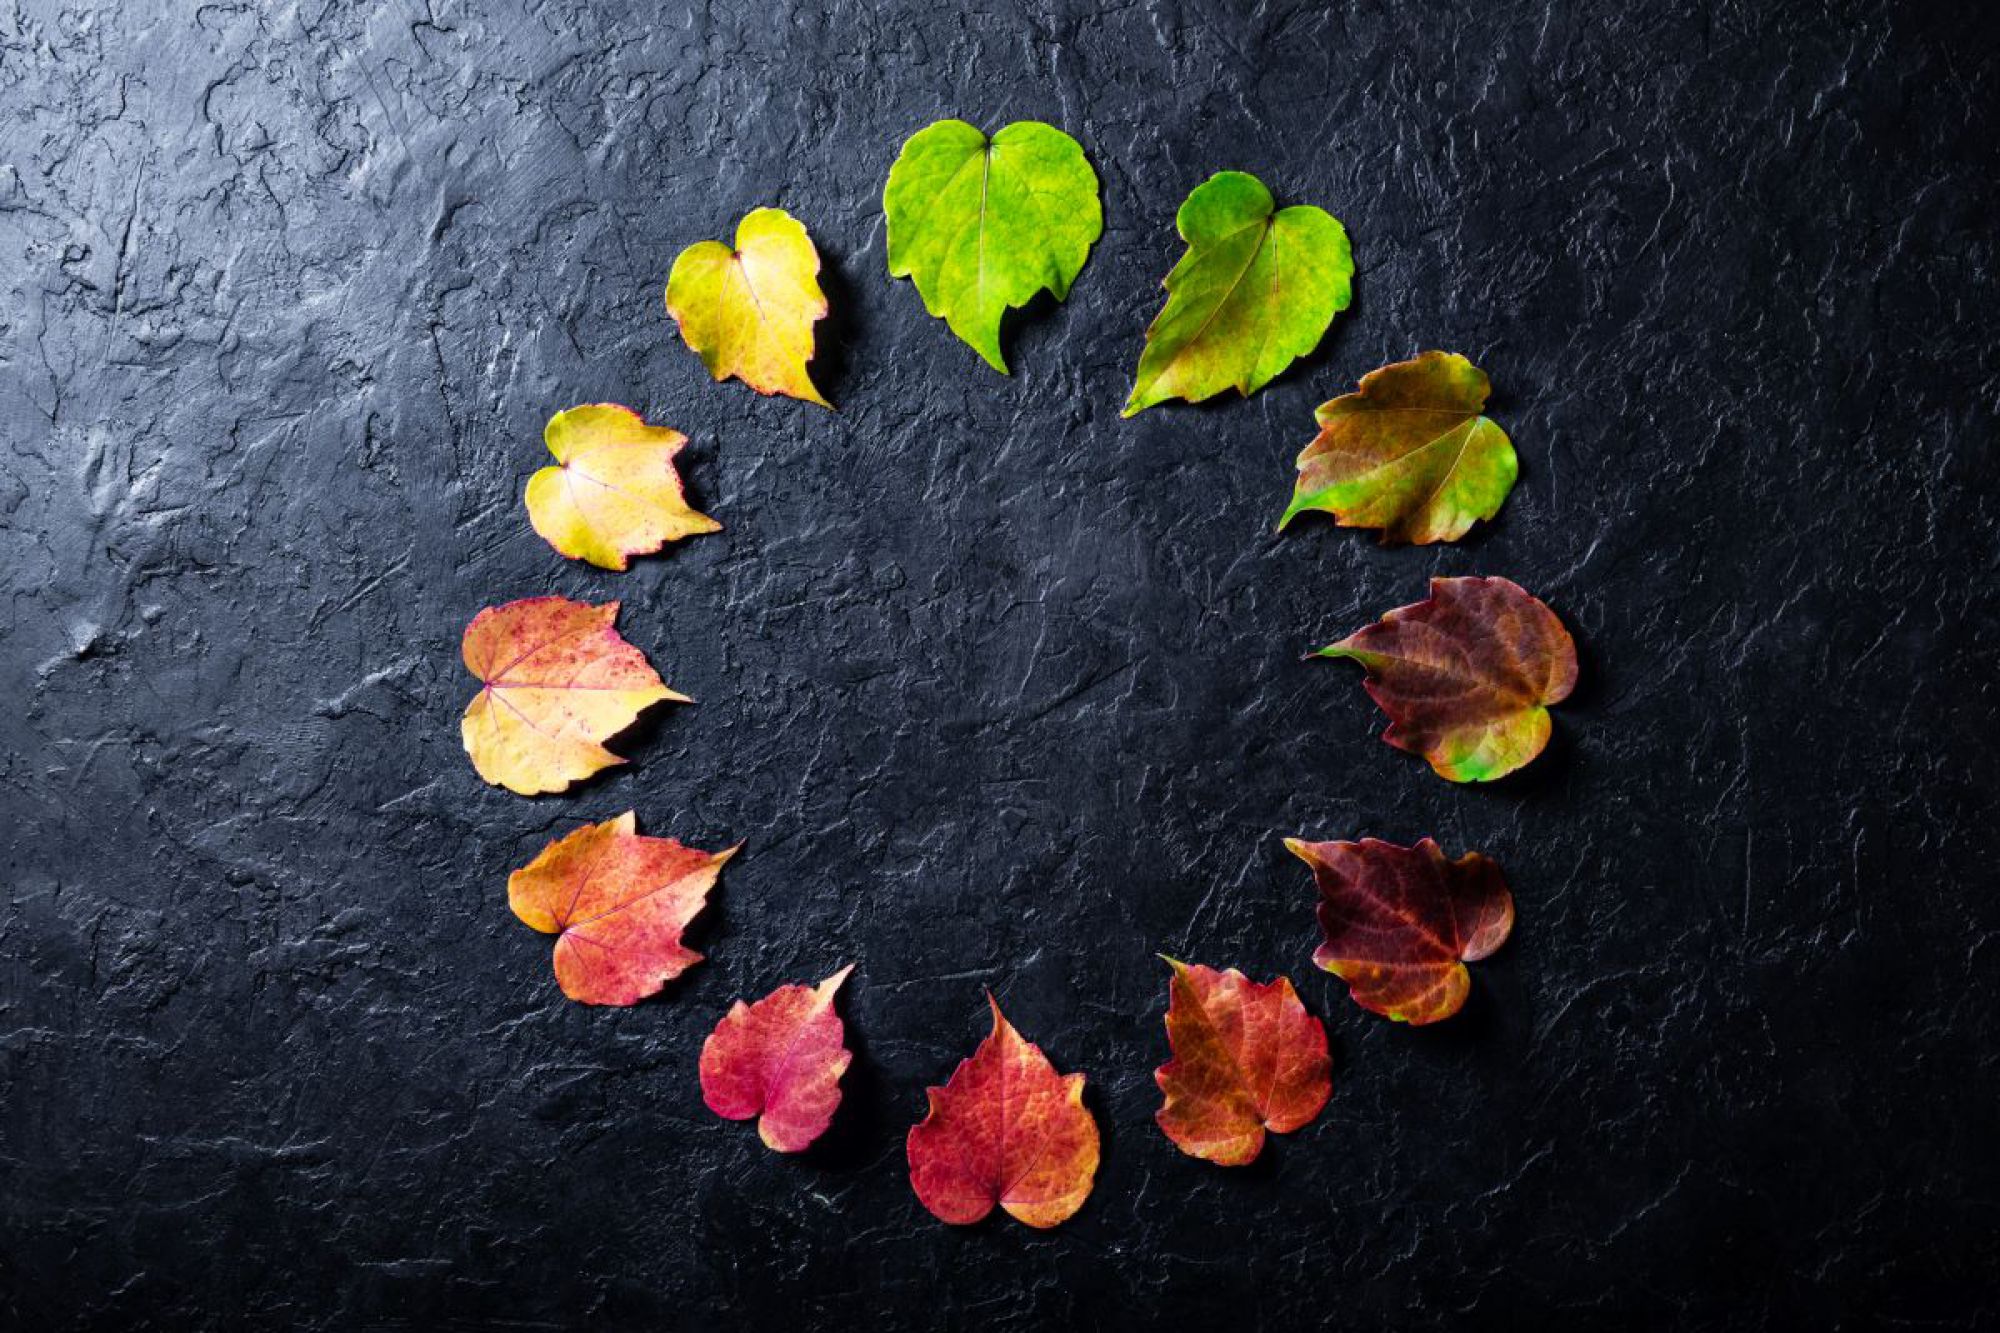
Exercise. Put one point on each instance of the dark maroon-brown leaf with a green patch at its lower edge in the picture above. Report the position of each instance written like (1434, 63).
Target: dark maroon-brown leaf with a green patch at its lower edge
(1467, 676)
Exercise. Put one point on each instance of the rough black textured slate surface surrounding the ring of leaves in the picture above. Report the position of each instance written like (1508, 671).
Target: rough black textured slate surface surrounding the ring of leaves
(1003, 692)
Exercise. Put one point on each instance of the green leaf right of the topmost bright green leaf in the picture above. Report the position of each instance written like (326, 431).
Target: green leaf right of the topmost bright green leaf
(1255, 291)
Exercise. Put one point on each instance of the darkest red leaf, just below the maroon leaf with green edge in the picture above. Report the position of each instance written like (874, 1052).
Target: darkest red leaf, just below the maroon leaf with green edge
(1401, 924)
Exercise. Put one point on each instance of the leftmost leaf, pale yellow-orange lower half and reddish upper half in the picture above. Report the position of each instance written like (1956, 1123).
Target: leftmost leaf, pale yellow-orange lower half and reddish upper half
(559, 682)
